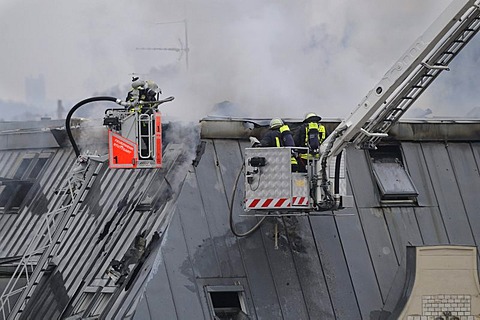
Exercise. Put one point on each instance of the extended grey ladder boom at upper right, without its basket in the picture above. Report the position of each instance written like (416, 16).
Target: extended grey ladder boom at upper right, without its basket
(407, 79)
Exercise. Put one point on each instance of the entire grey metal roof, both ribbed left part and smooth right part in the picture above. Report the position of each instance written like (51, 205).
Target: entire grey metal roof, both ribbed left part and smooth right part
(346, 266)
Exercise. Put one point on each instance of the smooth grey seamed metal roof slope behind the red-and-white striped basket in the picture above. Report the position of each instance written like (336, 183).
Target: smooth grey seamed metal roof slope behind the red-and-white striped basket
(325, 267)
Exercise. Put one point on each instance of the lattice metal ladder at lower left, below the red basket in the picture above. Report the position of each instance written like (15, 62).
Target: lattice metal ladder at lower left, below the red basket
(42, 247)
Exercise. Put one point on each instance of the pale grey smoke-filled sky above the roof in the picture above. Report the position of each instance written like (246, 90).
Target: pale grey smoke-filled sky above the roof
(268, 58)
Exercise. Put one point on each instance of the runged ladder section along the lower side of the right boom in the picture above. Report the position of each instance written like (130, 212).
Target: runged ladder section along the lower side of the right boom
(422, 76)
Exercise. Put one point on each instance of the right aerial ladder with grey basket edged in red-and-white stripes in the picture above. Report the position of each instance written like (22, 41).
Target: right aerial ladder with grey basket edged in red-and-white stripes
(270, 184)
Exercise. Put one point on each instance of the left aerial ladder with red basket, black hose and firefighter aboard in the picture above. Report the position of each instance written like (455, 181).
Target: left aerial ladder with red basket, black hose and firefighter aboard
(135, 142)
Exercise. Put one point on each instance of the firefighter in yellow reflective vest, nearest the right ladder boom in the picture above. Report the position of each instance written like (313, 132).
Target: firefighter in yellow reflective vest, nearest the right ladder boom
(309, 134)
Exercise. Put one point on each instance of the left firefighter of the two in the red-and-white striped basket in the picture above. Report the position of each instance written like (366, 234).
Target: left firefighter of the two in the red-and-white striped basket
(278, 135)
